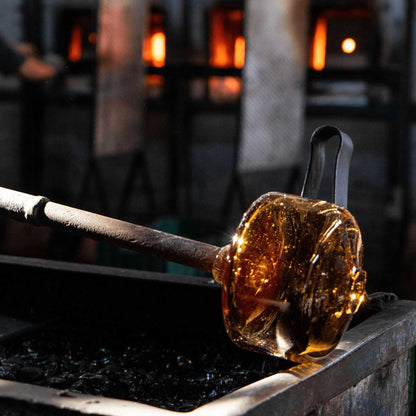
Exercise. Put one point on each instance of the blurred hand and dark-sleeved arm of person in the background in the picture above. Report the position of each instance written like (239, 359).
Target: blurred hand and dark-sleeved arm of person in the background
(22, 61)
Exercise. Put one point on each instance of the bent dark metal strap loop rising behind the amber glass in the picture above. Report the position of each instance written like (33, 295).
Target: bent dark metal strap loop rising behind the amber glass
(316, 165)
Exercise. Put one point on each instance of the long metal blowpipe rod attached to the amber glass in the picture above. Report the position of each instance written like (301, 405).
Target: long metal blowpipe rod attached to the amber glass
(38, 210)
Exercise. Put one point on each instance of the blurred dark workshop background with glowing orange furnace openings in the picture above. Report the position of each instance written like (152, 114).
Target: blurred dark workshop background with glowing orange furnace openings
(213, 104)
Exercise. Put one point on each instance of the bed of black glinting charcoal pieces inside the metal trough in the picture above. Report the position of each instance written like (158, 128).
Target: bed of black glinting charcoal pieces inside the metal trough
(176, 371)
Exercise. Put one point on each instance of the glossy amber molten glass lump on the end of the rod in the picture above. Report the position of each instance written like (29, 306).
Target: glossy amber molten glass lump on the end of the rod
(292, 277)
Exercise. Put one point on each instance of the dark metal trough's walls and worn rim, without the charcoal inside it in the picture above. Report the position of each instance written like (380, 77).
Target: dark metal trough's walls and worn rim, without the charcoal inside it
(368, 374)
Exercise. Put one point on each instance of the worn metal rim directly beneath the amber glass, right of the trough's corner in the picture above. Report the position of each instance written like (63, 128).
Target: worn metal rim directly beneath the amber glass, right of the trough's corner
(363, 349)
